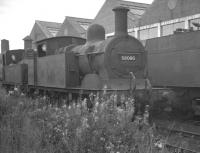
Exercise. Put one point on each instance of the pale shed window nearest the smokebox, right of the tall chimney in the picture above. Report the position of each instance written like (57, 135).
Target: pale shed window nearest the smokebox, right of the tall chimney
(148, 33)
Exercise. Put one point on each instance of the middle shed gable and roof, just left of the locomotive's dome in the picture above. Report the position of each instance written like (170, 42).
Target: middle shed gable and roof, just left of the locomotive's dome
(74, 26)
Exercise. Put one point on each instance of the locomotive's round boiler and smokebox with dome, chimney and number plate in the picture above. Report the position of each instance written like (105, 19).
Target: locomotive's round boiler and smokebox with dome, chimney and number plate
(109, 62)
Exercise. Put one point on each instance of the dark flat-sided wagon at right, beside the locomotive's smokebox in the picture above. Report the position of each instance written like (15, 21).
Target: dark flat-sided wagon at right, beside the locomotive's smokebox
(173, 62)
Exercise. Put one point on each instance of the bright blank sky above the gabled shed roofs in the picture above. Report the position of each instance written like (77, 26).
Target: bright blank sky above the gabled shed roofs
(17, 17)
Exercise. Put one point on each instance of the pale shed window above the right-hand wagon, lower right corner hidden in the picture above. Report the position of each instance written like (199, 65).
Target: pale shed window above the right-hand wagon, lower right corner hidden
(170, 28)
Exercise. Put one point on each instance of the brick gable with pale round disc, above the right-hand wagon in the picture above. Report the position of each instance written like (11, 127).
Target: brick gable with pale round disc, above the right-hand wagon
(163, 10)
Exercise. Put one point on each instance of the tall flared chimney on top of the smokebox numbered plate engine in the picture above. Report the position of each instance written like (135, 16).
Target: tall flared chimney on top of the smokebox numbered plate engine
(121, 21)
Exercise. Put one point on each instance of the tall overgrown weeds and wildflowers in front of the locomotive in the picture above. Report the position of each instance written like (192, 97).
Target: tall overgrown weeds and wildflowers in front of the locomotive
(34, 126)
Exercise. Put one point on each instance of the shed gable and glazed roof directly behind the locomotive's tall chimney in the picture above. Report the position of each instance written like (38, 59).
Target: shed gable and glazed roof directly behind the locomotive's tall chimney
(105, 17)
